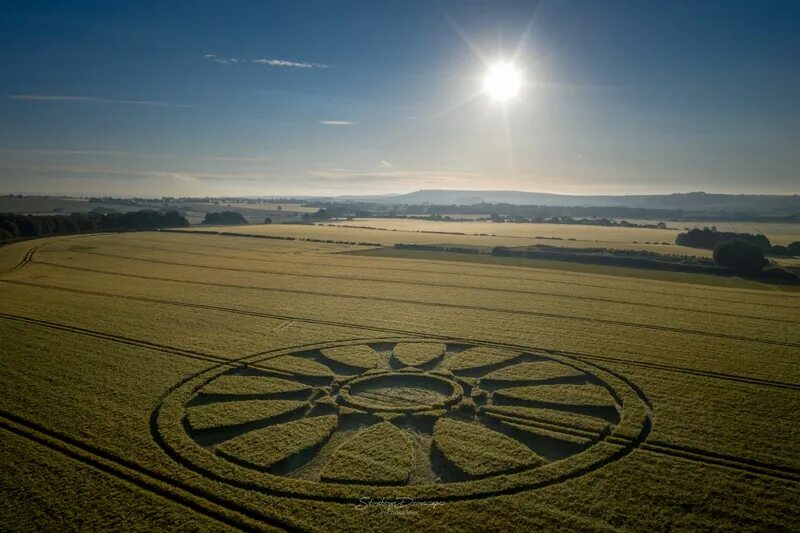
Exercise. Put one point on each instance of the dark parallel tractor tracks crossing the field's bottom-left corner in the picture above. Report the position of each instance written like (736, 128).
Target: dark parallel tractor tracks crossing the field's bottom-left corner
(182, 493)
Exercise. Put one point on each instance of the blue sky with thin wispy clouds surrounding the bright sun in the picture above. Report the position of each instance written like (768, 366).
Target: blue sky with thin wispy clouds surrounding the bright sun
(262, 98)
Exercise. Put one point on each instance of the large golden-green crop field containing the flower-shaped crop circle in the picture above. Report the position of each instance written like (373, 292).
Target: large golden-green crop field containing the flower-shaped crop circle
(173, 380)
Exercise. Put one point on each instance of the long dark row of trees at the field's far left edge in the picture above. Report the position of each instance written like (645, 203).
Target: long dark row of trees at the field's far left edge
(14, 226)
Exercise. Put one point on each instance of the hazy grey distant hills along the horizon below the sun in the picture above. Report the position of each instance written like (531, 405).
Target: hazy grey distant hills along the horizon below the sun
(698, 201)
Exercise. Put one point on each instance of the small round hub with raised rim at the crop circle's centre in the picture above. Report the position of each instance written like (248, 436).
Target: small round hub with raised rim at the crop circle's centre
(401, 392)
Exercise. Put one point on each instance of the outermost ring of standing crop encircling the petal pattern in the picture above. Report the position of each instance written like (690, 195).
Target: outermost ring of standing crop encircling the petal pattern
(167, 423)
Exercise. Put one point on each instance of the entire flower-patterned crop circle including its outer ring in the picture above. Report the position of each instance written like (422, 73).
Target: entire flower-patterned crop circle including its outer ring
(422, 418)
